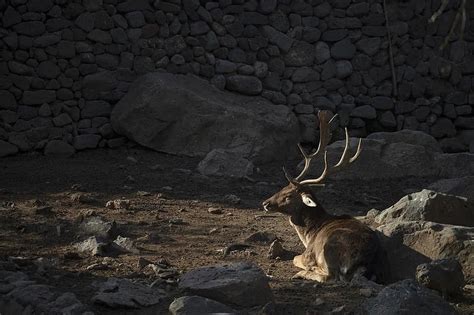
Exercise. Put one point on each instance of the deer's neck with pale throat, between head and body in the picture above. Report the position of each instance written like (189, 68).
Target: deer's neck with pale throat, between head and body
(309, 219)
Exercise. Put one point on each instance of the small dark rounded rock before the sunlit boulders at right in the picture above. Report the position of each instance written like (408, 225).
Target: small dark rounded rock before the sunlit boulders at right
(444, 276)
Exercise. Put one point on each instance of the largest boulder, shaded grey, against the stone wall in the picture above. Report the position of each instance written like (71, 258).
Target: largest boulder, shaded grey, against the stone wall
(182, 114)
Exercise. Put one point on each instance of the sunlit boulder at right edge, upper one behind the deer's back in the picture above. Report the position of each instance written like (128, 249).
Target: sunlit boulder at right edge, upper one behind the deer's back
(428, 205)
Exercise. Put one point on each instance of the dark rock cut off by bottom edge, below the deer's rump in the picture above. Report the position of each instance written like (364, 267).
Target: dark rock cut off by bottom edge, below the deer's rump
(407, 297)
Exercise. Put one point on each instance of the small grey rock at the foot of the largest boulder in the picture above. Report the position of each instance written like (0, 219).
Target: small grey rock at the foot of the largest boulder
(220, 162)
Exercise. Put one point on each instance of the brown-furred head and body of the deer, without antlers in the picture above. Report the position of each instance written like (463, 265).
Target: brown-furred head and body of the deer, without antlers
(337, 247)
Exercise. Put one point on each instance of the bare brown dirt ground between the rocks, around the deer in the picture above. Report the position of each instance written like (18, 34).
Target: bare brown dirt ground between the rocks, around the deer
(171, 223)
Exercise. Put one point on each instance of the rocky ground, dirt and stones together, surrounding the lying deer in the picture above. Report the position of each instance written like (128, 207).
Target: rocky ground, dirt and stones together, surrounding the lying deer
(138, 232)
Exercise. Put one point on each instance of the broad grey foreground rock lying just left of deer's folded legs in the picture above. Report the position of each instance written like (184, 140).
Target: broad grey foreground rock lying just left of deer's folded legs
(241, 284)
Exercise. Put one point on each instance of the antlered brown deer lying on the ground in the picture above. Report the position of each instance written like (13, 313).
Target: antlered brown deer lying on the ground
(336, 247)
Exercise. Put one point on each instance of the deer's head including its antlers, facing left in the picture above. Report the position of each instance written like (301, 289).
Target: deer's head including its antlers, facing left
(297, 195)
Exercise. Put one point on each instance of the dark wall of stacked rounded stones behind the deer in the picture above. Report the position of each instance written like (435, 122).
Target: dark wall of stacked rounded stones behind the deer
(64, 64)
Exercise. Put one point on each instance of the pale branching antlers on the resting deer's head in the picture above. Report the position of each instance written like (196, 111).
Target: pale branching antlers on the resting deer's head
(325, 137)
